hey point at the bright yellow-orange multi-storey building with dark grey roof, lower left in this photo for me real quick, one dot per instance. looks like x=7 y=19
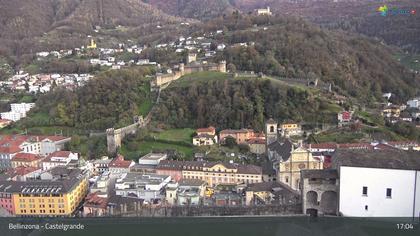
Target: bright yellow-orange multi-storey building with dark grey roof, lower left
x=58 y=193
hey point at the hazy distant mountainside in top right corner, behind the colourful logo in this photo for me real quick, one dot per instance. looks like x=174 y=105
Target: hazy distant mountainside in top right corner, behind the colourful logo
x=357 y=15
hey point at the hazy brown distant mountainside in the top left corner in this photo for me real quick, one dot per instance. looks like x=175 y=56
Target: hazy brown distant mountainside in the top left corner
x=24 y=23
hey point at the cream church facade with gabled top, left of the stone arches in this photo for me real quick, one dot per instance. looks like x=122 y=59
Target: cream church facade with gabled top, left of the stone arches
x=299 y=159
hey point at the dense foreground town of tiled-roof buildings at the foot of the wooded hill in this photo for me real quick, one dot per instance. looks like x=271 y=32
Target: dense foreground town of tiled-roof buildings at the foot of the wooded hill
x=41 y=178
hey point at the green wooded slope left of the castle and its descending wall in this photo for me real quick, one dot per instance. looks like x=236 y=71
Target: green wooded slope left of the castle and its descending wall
x=112 y=99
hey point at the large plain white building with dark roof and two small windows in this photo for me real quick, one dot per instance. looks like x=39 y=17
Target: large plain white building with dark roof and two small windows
x=378 y=183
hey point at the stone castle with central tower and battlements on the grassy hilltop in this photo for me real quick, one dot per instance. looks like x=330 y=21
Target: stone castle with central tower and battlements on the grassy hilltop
x=192 y=66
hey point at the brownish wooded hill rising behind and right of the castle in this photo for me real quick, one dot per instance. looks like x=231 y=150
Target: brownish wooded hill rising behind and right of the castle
x=290 y=47
